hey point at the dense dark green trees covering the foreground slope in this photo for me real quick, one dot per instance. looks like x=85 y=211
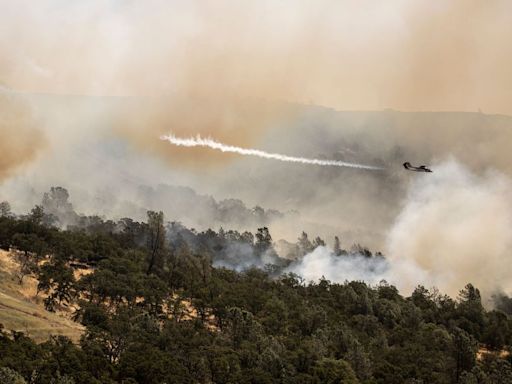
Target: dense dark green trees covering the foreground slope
x=156 y=310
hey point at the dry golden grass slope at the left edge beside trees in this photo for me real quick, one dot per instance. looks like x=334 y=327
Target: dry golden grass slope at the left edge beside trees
x=20 y=310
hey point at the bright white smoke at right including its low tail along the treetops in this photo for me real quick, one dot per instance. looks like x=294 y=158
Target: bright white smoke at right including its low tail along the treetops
x=455 y=228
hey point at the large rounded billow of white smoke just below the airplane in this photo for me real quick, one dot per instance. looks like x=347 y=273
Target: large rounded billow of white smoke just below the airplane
x=457 y=228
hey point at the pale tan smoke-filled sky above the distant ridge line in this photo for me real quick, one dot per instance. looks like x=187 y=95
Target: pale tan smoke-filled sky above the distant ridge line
x=356 y=54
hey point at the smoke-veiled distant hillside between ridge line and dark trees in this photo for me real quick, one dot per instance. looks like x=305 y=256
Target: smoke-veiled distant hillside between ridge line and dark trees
x=358 y=206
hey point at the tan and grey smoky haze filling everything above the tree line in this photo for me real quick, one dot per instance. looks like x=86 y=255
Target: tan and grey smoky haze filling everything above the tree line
x=87 y=88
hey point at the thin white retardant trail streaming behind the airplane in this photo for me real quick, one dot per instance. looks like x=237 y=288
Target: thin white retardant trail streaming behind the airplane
x=199 y=141
